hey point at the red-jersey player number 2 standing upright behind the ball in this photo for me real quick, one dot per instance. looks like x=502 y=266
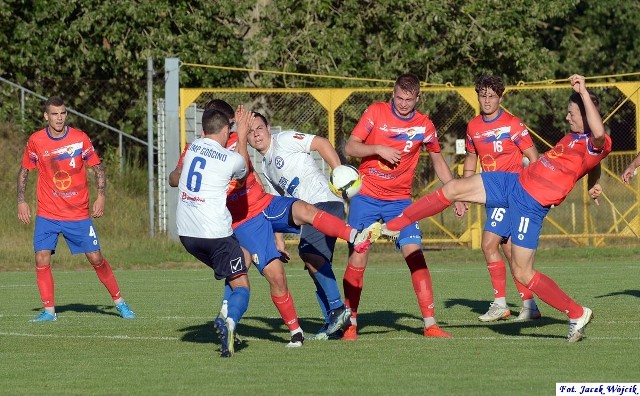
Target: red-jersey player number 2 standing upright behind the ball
x=389 y=138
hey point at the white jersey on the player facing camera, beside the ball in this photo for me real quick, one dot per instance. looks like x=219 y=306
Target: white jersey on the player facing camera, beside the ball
x=292 y=171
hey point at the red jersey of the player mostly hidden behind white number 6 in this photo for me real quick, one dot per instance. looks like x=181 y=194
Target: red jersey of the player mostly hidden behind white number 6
x=246 y=198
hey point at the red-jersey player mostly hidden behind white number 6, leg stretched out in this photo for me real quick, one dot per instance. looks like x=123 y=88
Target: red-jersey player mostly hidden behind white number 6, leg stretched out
x=257 y=215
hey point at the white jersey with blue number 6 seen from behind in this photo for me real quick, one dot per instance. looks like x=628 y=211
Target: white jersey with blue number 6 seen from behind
x=202 y=205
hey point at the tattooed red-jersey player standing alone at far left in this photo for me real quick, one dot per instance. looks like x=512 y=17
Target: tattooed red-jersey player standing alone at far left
x=61 y=155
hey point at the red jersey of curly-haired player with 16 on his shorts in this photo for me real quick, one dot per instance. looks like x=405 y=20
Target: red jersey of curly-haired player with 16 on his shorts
x=498 y=143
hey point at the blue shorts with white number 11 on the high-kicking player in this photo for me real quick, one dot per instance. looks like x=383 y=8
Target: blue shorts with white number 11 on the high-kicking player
x=526 y=215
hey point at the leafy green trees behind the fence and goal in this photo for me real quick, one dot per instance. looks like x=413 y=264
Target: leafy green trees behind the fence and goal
x=94 y=53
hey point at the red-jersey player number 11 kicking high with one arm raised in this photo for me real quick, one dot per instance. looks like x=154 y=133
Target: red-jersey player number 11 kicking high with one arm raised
x=531 y=194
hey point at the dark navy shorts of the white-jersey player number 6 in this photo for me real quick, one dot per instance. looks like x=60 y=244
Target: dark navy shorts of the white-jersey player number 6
x=223 y=255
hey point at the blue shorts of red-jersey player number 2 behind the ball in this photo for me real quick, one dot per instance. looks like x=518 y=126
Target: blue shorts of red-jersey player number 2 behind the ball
x=365 y=210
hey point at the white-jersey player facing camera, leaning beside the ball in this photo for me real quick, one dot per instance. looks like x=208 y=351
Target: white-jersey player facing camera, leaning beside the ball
x=292 y=171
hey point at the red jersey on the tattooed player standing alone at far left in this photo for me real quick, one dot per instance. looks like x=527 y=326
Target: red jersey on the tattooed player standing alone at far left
x=62 y=189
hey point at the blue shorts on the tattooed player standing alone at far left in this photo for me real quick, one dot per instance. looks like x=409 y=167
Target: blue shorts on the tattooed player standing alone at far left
x=80 y=235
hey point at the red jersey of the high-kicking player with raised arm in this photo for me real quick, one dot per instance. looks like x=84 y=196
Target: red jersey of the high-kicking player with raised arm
x=550 y=179
